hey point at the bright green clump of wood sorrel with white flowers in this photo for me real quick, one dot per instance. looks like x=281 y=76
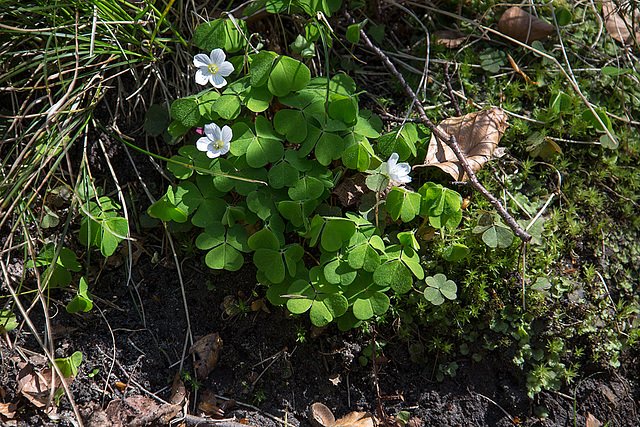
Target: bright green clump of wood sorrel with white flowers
x=260 y=182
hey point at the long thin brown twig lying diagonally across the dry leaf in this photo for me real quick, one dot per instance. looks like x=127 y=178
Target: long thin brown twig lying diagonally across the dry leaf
x=450 y=140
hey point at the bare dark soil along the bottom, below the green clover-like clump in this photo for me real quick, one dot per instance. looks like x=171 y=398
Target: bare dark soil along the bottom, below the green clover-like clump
x=147 y=323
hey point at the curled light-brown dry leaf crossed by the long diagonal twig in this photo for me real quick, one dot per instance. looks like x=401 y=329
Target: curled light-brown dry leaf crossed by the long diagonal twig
x=477 y=134
